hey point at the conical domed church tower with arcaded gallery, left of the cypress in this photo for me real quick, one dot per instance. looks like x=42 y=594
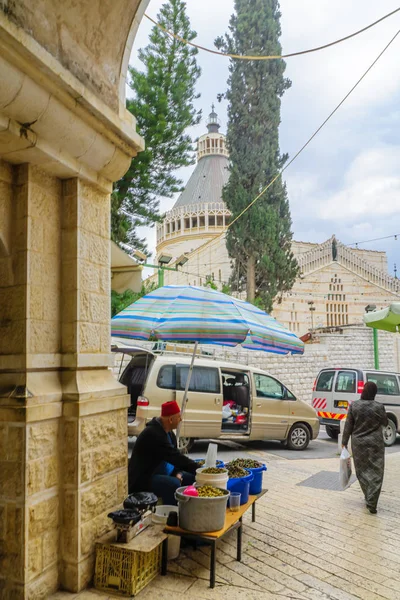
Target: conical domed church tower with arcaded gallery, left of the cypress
x=200 y=216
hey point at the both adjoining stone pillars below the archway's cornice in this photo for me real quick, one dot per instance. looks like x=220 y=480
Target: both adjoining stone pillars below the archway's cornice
x=63 y=433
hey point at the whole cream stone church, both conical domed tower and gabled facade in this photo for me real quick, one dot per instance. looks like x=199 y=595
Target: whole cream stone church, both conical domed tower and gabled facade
x=335 y=282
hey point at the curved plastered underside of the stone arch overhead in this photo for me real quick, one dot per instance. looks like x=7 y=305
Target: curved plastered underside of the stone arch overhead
x=90 y=38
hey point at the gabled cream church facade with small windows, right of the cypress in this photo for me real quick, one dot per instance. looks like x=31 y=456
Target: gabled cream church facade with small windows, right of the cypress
x=337 y=283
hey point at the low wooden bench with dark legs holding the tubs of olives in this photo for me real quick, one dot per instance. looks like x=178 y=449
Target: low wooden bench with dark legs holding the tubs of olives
x=233 y=520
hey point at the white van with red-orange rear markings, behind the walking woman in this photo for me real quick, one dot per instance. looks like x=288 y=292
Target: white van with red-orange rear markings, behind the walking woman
x=336 y=388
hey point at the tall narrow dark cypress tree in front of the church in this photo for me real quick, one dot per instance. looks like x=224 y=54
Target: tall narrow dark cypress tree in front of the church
x=260 y=241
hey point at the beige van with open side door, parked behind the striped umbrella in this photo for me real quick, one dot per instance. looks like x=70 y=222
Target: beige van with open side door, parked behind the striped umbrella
x=225 y=400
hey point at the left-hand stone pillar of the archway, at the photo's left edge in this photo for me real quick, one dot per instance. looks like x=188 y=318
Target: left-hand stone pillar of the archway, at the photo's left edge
x=30 y=388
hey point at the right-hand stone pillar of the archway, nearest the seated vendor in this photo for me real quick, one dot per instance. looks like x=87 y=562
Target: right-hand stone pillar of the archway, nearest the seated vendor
x=94 y=431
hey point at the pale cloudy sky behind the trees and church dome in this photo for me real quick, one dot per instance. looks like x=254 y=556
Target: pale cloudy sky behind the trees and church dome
x=347 y=182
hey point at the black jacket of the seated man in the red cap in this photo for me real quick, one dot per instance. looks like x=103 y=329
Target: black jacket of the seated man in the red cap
x=152 y=447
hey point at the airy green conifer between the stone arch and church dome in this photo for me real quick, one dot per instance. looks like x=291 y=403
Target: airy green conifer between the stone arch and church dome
x=163 y=104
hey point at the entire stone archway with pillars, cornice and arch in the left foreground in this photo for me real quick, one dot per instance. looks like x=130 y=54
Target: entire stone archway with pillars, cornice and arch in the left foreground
x=65 y=136
